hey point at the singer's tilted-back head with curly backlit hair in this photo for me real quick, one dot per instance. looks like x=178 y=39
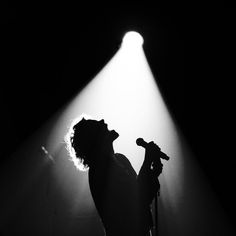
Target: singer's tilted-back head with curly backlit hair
x=87 y=140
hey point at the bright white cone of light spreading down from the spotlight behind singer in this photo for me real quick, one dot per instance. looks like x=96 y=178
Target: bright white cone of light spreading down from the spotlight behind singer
x=124 y=93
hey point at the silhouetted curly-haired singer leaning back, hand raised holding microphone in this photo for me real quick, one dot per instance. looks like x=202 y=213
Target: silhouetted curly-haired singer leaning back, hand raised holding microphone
x=122 y=197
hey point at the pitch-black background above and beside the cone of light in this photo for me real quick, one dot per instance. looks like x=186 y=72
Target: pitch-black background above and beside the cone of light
x=48 y=53
